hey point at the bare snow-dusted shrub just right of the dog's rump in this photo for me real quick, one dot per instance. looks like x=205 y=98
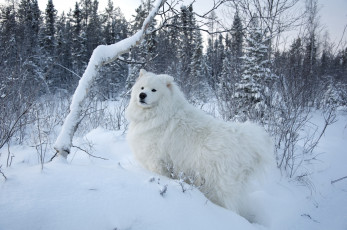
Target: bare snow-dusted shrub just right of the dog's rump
x=289 y=121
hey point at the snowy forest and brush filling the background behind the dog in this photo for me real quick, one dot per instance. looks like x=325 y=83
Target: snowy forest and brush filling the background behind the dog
x=239 y=68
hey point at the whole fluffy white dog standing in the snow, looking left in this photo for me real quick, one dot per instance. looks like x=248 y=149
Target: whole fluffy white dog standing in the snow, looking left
x=167 y=134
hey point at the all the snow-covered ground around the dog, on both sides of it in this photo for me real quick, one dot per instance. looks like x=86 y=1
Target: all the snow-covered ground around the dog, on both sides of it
x=91 y=193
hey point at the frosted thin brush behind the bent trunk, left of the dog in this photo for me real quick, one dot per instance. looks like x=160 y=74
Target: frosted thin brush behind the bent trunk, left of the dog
x=37 y=124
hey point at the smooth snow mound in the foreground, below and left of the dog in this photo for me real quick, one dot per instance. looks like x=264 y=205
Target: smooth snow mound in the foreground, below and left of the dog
x=91 y=193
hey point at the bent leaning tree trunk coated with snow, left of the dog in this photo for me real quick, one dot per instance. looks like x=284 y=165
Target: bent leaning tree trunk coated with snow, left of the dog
x=101 y=55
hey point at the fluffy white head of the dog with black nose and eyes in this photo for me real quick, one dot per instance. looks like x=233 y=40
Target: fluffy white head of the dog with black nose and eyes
x=150 y=89
